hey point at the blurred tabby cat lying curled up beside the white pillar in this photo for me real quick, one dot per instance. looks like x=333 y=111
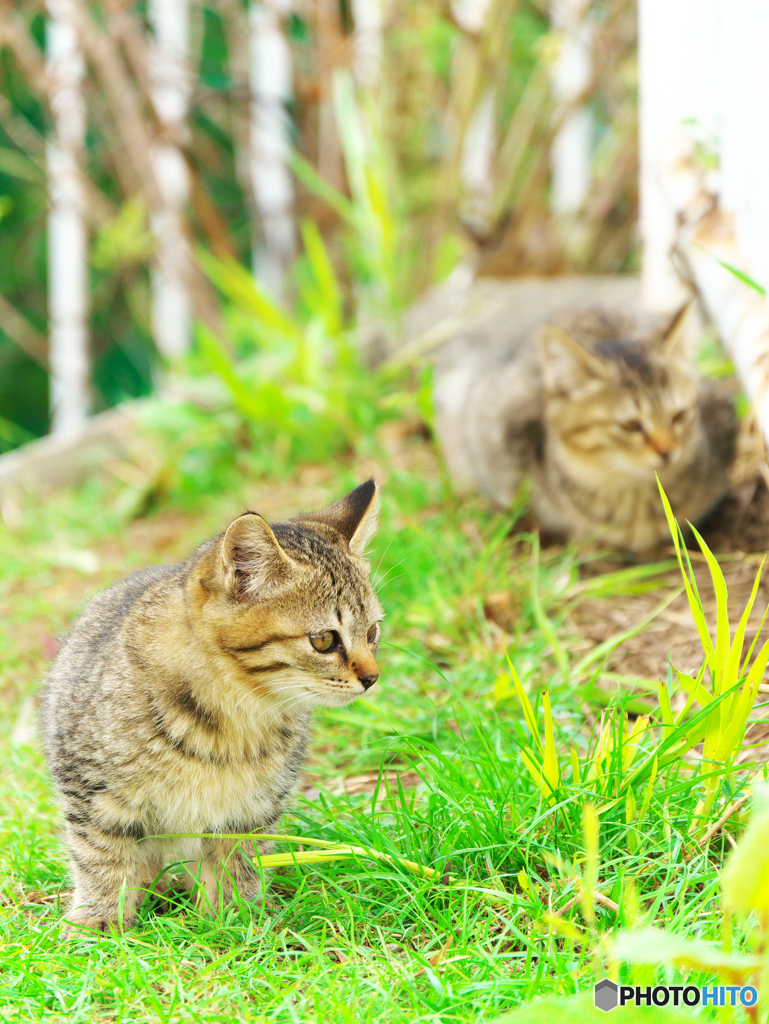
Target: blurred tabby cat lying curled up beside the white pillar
x=590 y=408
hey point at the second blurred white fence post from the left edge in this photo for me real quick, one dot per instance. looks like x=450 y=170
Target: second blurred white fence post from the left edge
x=172 y=315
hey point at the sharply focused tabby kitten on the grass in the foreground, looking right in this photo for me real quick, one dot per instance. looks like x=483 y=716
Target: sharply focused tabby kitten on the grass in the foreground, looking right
x=181 y=702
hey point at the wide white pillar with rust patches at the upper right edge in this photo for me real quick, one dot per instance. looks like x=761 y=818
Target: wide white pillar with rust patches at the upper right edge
x=706 y=61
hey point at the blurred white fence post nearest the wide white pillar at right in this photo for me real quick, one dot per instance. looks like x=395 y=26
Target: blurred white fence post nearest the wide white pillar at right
x=571 y=152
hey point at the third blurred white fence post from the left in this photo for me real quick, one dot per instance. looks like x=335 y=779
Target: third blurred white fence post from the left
x=271 y=73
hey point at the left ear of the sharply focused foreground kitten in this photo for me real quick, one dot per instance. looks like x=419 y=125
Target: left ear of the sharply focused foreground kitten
x=253 y=561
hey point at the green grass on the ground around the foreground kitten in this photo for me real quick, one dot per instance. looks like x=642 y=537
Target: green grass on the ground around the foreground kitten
x=365 y=940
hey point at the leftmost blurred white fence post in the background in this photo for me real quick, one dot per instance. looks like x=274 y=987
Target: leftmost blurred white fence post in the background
x=68 y=275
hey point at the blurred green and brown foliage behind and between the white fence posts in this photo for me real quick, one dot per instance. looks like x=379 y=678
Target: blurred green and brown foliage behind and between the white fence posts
x=374 y=234
